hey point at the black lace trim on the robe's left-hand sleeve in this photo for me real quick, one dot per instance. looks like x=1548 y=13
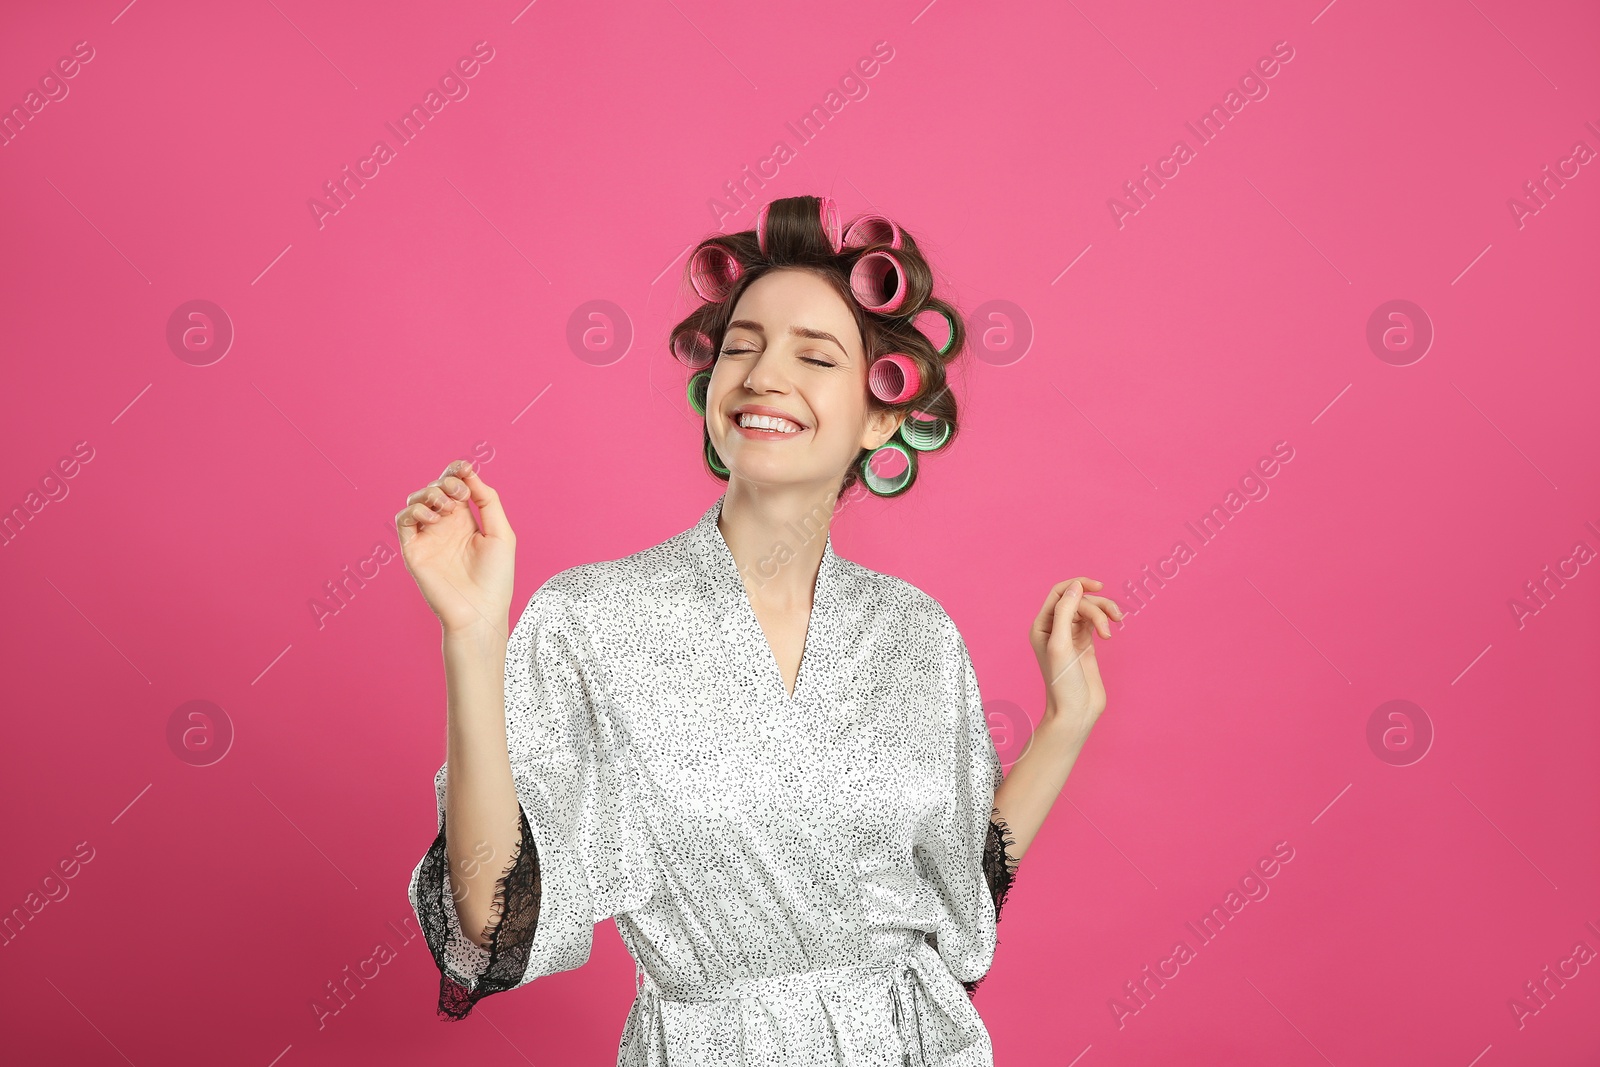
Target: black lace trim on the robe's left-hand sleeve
x=514 y=917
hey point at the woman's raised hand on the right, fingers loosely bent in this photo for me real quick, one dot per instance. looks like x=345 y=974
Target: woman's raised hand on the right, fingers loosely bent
x=1063 y=641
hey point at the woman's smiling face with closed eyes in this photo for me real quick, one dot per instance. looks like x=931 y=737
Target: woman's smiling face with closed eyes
x=793 y=353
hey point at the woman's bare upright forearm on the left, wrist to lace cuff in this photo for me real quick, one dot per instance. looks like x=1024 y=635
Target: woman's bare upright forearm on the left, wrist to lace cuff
x=481 y=797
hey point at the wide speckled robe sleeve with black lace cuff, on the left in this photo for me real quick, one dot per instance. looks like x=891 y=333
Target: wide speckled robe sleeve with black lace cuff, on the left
x=580 y=855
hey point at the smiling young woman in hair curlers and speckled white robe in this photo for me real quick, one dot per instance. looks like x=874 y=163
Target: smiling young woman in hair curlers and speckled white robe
x=769 y=764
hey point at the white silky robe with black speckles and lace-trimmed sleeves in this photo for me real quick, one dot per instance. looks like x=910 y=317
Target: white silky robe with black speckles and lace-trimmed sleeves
x=802 y=879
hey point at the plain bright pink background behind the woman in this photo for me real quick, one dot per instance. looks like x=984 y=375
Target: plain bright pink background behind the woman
x=1226 y=316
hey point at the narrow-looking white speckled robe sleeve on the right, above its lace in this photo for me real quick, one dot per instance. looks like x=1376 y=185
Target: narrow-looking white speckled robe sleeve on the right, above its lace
x=962 y=850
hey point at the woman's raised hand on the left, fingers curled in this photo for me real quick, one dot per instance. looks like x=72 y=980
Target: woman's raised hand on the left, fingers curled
x=465 y=572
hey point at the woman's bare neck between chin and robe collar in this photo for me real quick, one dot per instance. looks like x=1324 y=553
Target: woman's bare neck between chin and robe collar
x=777 y=538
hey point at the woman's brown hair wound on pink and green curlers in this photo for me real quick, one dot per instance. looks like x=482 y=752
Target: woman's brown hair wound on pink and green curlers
x=796 y=239
